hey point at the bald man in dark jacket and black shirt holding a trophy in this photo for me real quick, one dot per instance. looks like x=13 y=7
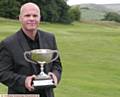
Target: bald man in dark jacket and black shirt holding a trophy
x=15 y=71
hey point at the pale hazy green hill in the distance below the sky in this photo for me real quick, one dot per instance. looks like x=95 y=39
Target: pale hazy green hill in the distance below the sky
x=97 y=11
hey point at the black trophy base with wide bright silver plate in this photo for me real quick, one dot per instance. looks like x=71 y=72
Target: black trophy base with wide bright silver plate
x=47 y=83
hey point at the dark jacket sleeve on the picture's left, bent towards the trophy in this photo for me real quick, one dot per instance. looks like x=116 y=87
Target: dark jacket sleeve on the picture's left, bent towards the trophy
x=7 y=75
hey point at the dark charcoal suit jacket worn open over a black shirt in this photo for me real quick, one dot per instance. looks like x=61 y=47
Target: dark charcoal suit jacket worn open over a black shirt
x=14 y=68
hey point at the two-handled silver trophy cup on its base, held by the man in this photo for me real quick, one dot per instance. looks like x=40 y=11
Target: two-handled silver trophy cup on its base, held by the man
x=41 y=57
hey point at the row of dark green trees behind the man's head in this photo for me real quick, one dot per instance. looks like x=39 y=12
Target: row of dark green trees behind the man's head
x=51 y=10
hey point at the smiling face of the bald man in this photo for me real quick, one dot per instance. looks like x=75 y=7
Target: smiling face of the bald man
x=30 y=18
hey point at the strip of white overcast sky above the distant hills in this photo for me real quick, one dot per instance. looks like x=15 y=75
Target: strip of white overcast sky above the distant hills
x=73 y=2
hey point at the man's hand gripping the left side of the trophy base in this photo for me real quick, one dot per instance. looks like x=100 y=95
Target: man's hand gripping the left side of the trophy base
x=28 y=82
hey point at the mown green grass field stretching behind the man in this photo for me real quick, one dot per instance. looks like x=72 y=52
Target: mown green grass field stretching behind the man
x=90 y=54
